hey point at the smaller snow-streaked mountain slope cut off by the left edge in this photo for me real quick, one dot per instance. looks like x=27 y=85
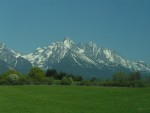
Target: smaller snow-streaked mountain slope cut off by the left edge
x=13 y=60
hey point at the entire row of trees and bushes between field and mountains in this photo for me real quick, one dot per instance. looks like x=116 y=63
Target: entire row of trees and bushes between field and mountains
x=37 y=76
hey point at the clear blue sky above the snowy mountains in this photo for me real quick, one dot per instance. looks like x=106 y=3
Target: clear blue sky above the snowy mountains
x=122 y=25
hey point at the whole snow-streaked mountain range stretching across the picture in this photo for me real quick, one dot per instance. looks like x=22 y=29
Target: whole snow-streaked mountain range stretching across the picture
x=86 y=59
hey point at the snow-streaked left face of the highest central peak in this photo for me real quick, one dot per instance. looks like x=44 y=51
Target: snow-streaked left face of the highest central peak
x=52 y=54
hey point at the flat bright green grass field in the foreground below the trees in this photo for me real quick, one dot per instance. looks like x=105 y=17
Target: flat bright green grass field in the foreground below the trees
x=73 y=99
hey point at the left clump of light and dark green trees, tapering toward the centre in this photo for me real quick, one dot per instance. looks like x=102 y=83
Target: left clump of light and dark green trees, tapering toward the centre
x=37 y=76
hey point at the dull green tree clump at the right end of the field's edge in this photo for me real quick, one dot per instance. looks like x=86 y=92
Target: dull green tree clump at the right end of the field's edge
x=122 y=79
